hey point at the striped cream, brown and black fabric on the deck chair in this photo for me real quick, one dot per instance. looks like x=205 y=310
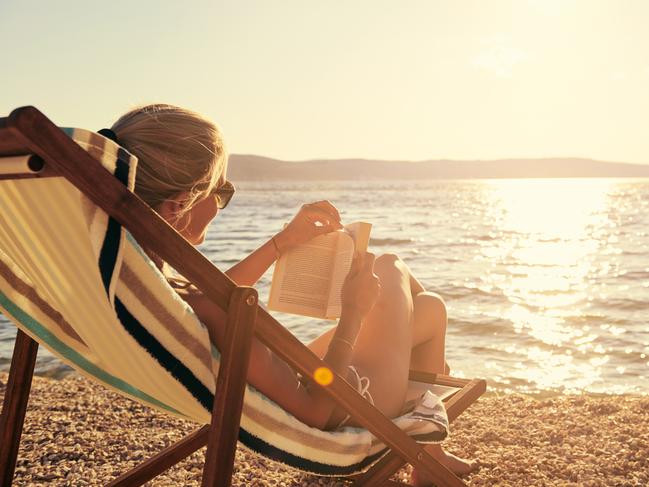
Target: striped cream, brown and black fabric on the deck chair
x=75 y=281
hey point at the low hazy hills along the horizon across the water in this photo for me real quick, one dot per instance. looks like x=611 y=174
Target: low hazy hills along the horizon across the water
x=255 y=168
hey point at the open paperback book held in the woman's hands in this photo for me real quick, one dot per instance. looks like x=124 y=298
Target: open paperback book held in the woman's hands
x=308 y=279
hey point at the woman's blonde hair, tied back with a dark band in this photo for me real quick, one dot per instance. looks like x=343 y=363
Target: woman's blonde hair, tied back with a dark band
x=178 y=151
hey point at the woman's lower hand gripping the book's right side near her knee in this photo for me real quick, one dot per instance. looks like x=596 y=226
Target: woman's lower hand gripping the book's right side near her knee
x=361 y=287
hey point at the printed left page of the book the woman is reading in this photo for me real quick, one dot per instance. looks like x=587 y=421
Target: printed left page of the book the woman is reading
x=302 y=276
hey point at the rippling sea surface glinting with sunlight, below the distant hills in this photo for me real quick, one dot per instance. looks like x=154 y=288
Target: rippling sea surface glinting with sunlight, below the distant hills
x=546 y=281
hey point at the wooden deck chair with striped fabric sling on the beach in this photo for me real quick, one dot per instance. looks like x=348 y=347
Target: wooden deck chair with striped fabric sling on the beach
x=74 y=278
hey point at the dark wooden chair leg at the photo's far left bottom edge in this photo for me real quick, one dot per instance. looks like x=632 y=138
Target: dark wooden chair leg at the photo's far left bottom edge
x=15 y=403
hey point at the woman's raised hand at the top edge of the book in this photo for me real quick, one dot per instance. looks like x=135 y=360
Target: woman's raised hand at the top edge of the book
x=312 y=220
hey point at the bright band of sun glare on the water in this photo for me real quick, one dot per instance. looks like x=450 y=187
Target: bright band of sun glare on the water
x=546 y=237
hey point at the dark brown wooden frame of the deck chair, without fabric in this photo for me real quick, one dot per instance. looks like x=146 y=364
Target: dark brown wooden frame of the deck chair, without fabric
x=27 y=131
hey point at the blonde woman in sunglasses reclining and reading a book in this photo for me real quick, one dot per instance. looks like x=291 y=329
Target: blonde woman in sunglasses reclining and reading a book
x=389 y=323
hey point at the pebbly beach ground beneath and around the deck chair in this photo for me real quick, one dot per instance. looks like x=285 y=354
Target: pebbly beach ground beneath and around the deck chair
x=77 y=433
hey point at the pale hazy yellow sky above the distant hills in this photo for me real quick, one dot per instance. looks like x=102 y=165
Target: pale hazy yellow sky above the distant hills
x=375 y=79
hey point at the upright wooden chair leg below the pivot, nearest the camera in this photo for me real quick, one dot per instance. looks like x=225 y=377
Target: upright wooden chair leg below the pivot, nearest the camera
x=230 y=387
